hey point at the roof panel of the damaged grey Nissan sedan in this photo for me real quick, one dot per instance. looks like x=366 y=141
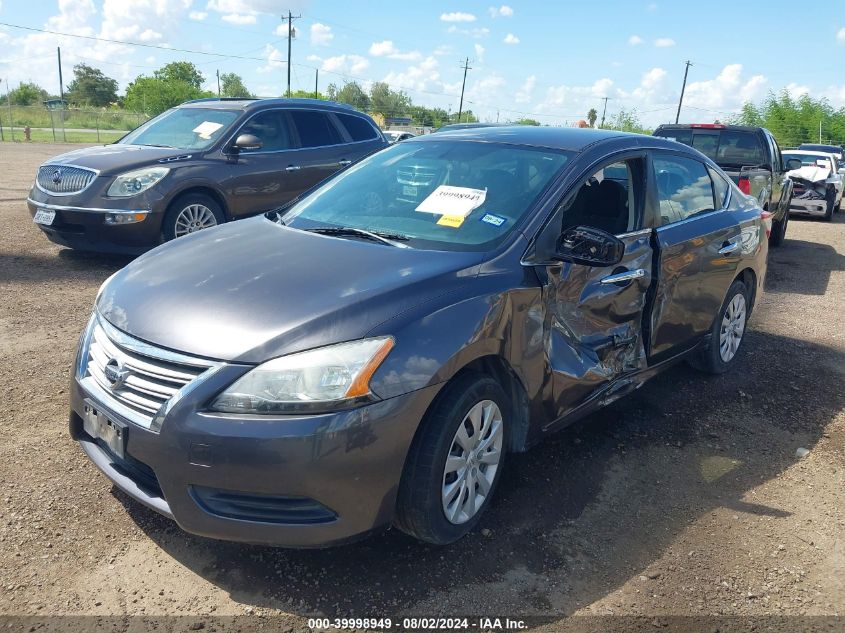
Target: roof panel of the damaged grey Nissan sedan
x=566 y=138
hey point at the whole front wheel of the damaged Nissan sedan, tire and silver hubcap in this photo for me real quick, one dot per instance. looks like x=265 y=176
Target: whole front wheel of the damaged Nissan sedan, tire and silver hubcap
x=455 y=462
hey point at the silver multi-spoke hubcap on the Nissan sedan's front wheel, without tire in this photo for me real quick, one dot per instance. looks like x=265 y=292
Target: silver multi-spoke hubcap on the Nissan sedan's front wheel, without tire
x=472 y=462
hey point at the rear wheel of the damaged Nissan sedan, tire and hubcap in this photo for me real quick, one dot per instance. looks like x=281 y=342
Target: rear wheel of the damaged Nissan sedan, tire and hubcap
x=726 y=334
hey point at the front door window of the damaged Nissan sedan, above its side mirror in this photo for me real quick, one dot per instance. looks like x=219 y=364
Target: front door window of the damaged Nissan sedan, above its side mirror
x=609 y=199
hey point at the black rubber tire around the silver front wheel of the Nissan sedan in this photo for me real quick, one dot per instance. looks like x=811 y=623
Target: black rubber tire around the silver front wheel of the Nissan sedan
x=419 y=506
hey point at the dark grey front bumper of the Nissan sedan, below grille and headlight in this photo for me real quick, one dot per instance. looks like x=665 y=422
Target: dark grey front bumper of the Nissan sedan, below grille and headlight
x=298 y=481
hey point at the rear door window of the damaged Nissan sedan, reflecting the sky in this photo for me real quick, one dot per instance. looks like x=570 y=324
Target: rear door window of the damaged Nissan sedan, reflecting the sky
x=684 y=188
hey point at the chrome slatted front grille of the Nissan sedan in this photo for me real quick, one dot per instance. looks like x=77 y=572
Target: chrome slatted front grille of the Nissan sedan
x=150 y=377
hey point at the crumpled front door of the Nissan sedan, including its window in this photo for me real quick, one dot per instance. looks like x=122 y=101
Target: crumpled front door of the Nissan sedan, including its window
x=595 y=294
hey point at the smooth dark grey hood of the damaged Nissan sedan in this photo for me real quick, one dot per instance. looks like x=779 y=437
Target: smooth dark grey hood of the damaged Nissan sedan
x=253 y=290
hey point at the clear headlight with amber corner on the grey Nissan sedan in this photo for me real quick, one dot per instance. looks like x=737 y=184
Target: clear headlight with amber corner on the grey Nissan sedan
x=322 y=379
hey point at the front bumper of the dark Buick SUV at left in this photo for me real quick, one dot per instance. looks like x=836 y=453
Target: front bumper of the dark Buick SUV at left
x=85 y=228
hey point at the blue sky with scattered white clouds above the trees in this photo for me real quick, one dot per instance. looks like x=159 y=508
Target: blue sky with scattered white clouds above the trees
x=548 y=60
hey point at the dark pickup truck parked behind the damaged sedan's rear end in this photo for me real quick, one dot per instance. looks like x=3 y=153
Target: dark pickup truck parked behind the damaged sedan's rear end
x=751 y=157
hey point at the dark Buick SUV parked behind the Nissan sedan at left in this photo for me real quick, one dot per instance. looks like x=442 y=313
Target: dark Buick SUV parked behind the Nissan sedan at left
x=195 y=166
